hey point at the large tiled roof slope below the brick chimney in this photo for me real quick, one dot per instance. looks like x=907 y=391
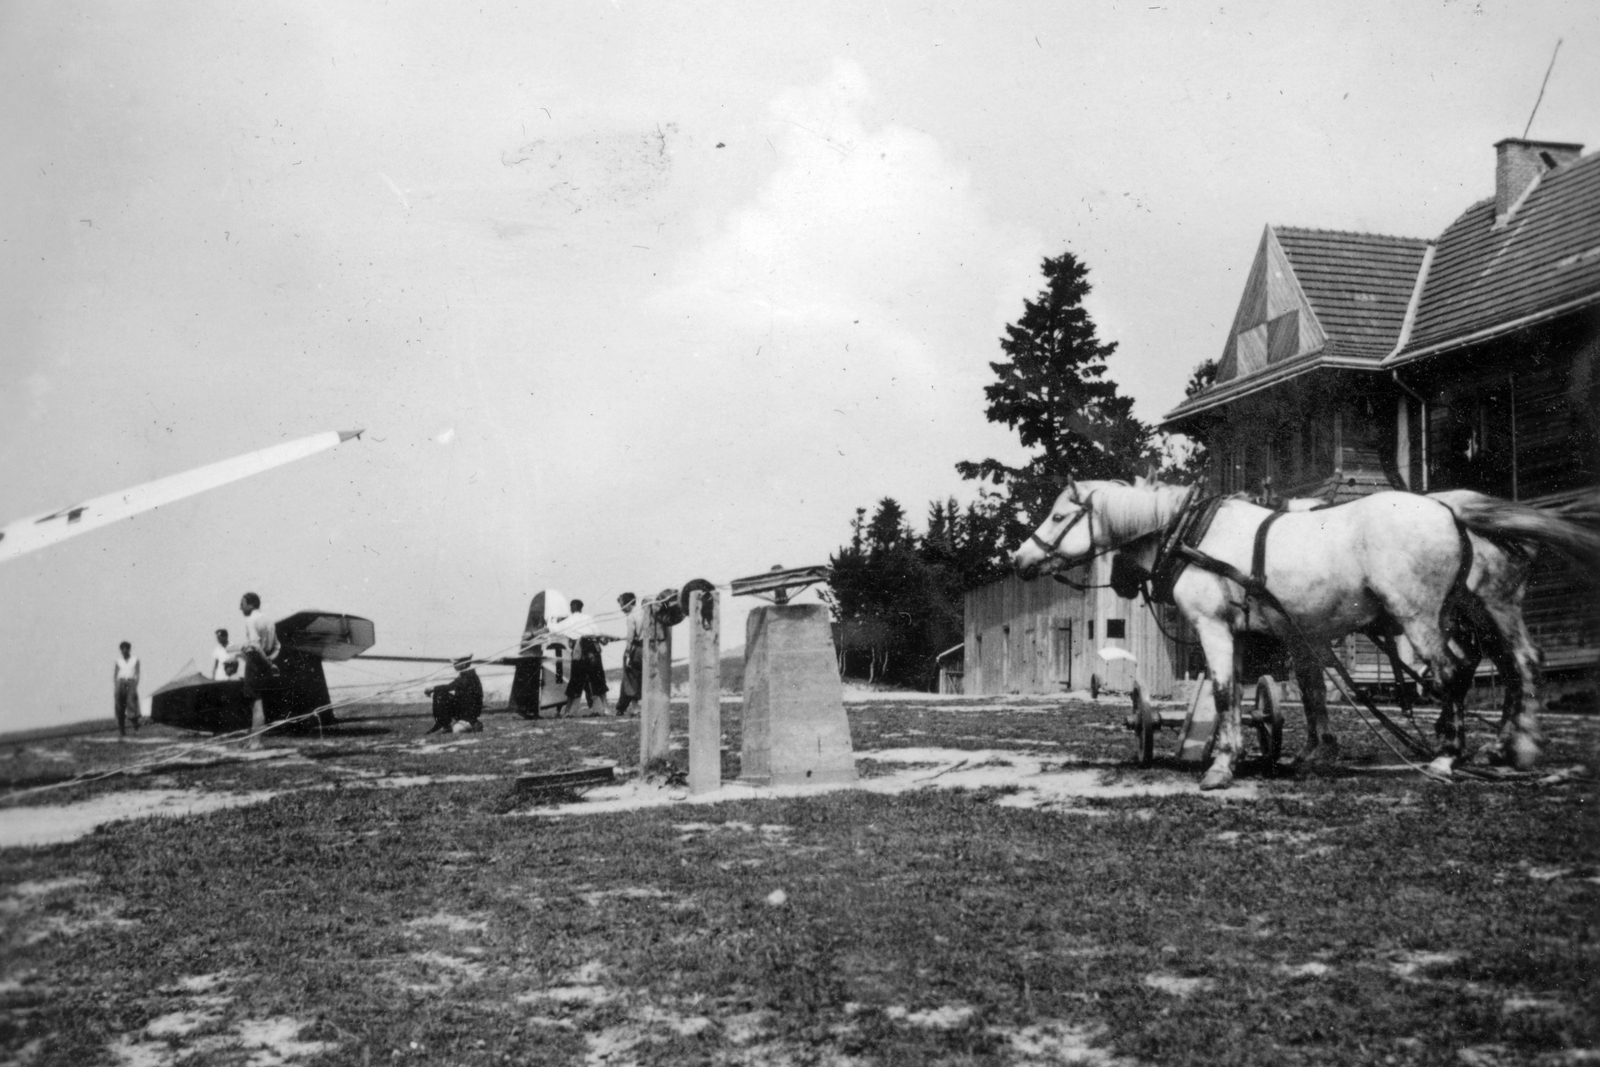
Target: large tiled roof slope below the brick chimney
x=1543 y=260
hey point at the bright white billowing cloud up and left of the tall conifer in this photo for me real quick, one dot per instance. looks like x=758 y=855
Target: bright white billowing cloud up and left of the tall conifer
x=866 y=278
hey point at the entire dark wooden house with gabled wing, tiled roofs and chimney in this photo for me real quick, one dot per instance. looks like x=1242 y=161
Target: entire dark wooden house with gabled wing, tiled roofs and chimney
x=1359 y=362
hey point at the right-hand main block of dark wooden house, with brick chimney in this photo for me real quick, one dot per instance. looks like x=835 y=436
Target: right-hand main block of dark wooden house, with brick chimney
x=1498 y=362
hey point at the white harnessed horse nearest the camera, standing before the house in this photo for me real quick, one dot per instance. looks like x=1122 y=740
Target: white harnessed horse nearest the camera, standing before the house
x=1385 y=564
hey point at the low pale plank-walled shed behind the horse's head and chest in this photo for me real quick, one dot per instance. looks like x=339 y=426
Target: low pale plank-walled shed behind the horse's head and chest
x=1044 y=637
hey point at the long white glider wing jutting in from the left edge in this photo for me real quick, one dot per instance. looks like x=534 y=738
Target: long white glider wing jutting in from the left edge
x=39 y=532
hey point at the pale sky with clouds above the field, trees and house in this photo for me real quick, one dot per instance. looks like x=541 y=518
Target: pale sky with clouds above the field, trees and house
x=626 y=295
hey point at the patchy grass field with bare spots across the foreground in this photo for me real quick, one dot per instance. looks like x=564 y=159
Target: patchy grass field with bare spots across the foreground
x=394 y=901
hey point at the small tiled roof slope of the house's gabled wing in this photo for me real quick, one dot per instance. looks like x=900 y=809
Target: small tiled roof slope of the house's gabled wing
x=1358 y=284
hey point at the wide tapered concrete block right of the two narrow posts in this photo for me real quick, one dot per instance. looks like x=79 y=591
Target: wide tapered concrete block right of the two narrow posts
x=796 y=732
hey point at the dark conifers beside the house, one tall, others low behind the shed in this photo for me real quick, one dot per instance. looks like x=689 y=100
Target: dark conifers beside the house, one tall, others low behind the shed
x=898 y=596
